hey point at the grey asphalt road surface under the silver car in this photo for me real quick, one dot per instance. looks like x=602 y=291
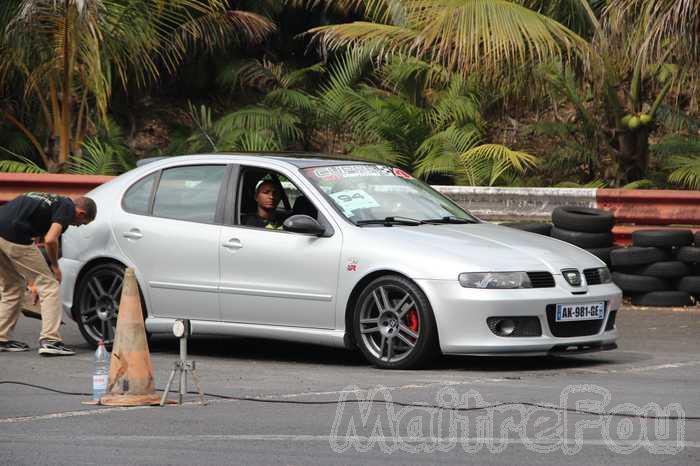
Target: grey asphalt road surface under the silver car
x=311 y=405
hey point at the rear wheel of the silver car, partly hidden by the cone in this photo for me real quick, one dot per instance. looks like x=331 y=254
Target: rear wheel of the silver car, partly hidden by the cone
x=97 y=302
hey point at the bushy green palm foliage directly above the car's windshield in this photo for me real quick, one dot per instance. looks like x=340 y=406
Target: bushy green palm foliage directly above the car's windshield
x=417 y=115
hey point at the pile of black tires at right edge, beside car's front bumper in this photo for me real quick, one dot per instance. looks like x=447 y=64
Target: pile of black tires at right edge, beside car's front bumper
x=660 y=268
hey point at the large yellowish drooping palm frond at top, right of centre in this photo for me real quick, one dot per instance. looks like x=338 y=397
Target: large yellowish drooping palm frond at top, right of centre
x=491 y=34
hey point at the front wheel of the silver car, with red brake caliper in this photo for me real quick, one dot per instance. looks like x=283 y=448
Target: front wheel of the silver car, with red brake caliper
x=393 y=324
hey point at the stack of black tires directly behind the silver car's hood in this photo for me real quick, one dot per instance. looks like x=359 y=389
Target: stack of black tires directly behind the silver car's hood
x=585 y=227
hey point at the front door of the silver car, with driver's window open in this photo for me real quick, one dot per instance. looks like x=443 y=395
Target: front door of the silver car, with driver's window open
x=276 y=277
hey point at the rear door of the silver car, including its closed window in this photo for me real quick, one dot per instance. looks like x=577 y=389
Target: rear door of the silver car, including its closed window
x=174 y=241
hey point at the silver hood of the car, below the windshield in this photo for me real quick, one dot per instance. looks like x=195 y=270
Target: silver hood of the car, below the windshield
x=442 y=251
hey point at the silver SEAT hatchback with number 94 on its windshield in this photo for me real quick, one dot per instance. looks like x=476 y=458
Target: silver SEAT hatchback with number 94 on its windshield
x=359 y=255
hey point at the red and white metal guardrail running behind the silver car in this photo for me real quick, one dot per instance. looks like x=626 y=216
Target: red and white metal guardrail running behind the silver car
x=633 y=208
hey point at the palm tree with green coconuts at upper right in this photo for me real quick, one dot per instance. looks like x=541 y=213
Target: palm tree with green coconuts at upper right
x=627 y=51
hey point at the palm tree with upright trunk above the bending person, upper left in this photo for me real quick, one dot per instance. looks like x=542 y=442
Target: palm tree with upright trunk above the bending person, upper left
x=70 y=53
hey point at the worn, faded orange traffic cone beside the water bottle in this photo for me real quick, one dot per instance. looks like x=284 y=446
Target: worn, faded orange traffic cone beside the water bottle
x=130 y=370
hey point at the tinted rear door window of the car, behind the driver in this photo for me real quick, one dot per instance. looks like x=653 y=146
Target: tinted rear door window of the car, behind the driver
x=189 y=193
